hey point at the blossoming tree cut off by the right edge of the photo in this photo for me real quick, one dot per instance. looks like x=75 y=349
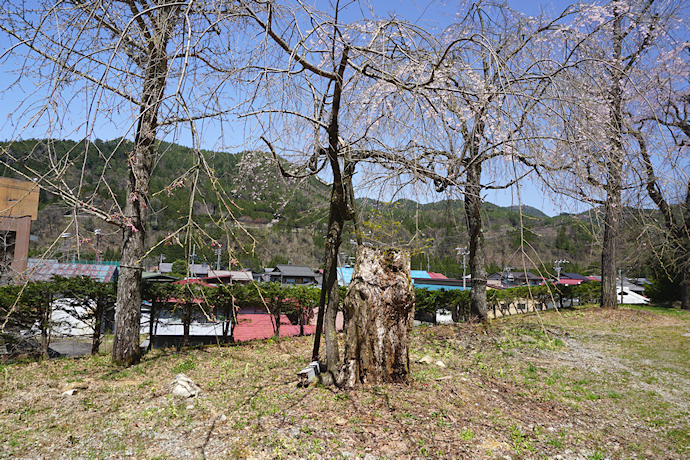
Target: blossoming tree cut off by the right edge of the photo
x=663 y=138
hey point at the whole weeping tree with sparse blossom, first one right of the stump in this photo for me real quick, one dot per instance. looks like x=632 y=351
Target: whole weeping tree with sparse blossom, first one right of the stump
x=481 y=111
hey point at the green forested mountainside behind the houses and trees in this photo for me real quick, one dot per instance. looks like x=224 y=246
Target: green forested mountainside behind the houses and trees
x=268 y=219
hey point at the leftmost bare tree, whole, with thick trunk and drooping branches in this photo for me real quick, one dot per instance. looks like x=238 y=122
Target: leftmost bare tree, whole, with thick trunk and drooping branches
x=128 y=62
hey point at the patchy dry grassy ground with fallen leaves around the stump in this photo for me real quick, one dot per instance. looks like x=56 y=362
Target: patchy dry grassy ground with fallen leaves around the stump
x=577 y=384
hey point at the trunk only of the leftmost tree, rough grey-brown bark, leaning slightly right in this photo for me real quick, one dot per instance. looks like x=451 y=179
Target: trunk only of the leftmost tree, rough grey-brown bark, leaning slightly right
x=126 y=340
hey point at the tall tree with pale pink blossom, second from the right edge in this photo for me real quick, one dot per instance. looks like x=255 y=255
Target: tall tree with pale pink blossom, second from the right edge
x=608 y=44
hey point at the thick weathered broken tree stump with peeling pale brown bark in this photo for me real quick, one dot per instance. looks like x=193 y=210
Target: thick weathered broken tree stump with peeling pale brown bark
x=379 y=310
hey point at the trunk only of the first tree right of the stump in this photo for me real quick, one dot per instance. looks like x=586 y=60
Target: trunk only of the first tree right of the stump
x=473 y=208
